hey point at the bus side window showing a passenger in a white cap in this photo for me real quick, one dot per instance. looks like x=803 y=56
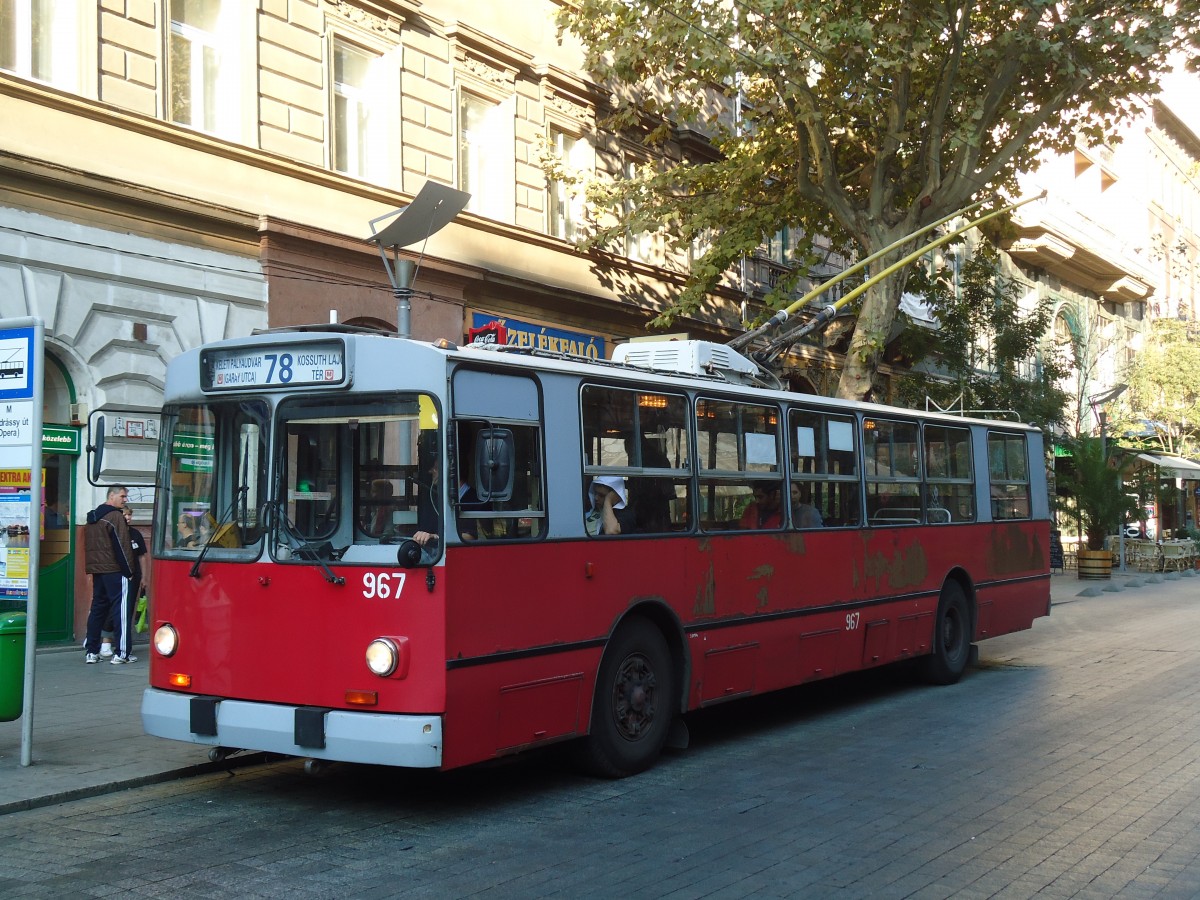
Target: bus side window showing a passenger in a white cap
x=635 y=443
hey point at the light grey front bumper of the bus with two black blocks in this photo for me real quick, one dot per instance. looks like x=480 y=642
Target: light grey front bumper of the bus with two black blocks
x=349 y=736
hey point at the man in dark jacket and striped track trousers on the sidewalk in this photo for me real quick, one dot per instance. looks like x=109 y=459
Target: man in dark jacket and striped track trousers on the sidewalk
x=109 y=559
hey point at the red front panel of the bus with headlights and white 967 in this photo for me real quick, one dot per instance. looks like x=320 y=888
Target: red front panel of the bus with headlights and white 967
x=281 y=634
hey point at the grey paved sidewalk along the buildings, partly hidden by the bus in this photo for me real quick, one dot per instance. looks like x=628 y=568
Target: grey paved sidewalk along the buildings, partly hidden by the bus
x=88 y=737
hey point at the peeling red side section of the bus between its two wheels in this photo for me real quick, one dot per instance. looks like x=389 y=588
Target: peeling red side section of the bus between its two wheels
x=812 y=605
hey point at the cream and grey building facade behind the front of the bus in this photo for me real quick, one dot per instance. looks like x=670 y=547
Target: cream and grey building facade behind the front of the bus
x=175 y=172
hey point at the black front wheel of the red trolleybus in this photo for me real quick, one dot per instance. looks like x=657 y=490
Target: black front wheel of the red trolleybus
x=634 y=704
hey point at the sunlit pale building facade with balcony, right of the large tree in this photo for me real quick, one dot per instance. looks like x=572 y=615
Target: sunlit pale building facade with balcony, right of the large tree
x=1117 y=247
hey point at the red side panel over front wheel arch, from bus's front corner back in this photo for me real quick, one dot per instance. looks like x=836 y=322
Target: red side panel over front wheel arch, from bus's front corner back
x=526 y=631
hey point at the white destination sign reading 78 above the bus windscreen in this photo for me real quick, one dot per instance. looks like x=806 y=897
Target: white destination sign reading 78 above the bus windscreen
x=321 y=363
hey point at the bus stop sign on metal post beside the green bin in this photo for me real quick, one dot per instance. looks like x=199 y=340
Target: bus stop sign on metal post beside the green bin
x=22 y=357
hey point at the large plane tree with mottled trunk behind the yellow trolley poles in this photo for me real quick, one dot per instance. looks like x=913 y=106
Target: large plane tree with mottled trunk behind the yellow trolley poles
x=856 y=121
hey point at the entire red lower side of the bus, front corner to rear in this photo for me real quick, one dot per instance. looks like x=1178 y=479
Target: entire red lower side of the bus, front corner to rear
x=527 y=623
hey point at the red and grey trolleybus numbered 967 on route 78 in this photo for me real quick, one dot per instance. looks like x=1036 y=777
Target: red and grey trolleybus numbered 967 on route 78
x=385 y=551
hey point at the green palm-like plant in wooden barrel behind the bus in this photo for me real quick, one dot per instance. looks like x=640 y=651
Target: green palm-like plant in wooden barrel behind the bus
x=1097 y=483
